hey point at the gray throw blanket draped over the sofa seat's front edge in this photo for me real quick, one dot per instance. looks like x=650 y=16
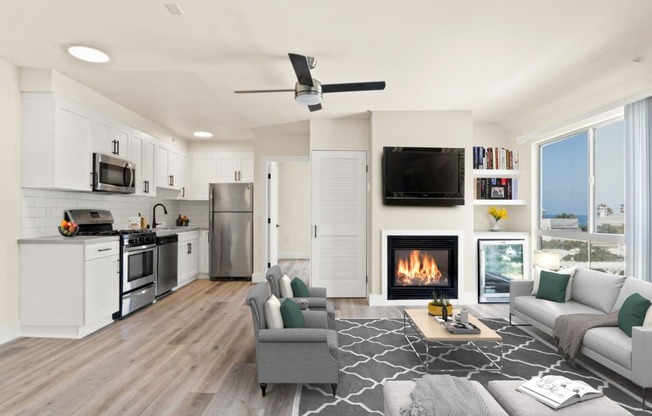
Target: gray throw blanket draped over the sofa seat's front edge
x=569 y=331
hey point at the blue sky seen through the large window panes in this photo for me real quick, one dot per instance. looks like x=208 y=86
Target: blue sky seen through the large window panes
x=565 y=172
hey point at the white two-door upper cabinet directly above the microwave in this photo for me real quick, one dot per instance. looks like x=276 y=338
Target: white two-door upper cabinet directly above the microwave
x=111 y=137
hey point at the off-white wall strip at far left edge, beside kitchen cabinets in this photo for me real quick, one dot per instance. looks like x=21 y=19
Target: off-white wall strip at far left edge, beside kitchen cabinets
x=10 y=206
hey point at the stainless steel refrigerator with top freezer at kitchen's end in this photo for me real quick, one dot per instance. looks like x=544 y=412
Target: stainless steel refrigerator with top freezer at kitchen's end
x=230 y=230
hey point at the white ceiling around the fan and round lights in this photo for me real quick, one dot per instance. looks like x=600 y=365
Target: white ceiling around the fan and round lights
x=488 y=56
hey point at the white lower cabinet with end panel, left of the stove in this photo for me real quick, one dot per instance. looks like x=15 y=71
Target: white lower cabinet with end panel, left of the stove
x=68 y=290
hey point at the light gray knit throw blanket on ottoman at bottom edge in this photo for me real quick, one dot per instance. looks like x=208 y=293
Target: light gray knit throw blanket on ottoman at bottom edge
x=445 y=395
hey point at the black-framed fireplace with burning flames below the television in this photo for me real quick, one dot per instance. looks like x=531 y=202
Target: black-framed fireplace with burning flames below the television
x=417 y=265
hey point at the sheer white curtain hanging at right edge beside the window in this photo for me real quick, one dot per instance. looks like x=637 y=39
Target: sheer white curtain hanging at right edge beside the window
x=638 y=189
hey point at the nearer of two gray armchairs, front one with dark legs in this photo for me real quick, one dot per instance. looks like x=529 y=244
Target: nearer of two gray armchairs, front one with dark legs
x=293 y=355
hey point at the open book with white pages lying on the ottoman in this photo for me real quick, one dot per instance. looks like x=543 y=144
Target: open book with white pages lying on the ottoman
x=558 y=391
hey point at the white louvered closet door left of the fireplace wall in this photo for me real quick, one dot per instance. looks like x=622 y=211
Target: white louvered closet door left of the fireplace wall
x=339 y=217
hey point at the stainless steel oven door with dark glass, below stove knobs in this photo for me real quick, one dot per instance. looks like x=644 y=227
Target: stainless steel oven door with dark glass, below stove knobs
x=138 y=267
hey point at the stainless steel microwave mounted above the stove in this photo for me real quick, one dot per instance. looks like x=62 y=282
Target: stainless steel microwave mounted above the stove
x=112 y=174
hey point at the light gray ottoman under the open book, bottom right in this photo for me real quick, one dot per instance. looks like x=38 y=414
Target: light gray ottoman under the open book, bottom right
x=520 y=404
